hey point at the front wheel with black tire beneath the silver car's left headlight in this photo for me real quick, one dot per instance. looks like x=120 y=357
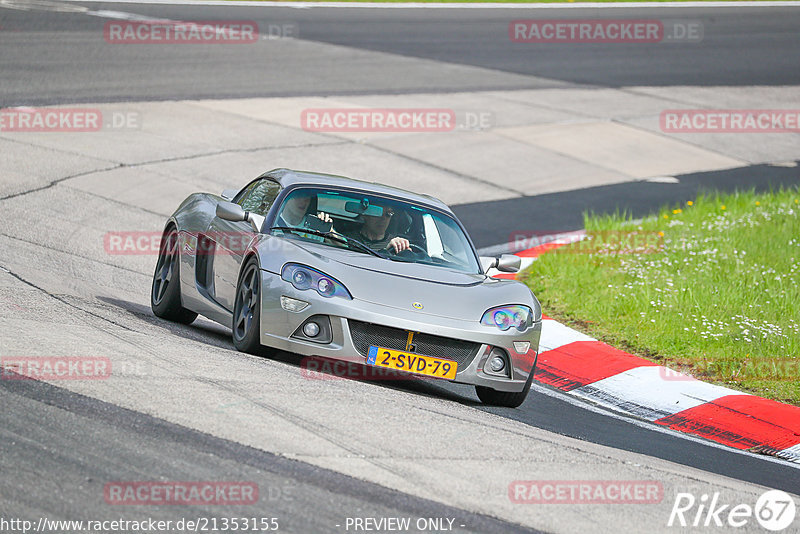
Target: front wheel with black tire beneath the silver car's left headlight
x=247 y=309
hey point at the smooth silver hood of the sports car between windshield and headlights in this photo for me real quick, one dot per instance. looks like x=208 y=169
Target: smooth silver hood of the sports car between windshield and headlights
x=406 y=286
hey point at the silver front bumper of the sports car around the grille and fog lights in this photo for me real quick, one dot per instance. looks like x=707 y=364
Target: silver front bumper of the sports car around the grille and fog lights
x=278 y=326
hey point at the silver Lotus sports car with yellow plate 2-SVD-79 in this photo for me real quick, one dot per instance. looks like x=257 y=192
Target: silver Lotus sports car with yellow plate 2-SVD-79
x=330 y=267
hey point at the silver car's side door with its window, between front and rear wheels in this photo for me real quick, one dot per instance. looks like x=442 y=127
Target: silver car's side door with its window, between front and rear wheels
x=230 y=241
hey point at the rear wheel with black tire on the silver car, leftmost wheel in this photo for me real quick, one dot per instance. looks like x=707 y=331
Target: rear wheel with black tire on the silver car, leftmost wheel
x=165 y=292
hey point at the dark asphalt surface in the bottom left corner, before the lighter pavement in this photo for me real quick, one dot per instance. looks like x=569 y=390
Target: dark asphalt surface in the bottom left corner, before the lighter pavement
x=128 y=444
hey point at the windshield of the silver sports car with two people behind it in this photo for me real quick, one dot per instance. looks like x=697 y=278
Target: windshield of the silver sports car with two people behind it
x=368 y=224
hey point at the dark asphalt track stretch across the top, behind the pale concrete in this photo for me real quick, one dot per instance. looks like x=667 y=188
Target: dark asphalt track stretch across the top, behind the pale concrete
x=50 y=57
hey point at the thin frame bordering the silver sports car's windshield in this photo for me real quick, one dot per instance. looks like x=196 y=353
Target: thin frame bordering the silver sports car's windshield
x=321 y=188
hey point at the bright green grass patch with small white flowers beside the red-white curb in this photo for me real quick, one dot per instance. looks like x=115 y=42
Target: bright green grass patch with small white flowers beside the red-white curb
x=709 y=288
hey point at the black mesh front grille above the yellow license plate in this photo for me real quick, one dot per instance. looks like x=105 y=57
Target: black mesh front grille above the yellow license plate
x=366 y=334
